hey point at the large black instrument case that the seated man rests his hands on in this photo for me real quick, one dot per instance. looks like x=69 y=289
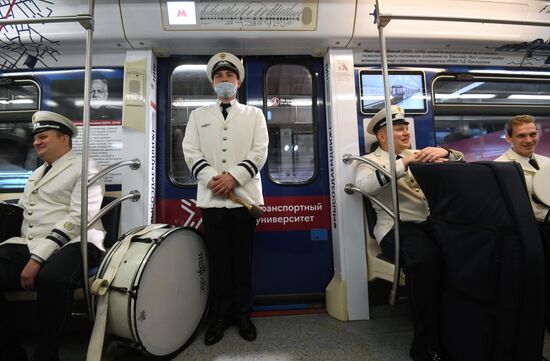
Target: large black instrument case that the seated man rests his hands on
x=493 y=278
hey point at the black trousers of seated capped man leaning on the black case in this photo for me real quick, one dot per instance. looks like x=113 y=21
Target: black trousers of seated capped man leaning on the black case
x=422 y=263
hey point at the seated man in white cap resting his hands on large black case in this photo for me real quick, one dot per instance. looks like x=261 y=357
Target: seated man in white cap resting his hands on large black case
x=420 y=255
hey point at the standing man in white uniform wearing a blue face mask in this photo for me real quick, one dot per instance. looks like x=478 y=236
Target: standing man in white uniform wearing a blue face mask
x=225 y=146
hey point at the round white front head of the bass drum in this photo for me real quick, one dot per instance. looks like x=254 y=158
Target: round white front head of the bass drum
x=172 y=294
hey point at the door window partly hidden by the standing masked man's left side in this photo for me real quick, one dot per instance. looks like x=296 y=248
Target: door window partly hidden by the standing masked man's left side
x=189 y=90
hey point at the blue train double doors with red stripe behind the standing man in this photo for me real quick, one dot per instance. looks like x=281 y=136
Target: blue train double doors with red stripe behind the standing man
x=293 y=250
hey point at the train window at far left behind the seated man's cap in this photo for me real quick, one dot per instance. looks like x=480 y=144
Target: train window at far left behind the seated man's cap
x=19 y=99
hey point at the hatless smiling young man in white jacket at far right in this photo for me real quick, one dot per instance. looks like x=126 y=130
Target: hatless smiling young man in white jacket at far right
x=523 y=136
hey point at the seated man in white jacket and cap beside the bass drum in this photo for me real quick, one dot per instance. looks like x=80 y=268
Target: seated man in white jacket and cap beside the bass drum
x=46 y=257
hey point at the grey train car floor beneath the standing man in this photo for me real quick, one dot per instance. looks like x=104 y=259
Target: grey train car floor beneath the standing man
x=314 y=336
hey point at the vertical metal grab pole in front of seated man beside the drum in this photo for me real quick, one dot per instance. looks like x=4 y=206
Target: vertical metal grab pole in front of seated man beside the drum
x=85 y=144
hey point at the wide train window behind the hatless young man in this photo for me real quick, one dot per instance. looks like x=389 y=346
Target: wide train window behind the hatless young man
x=470 y=112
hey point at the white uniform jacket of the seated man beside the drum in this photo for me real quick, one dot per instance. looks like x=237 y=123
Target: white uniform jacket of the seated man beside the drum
x=51 y=204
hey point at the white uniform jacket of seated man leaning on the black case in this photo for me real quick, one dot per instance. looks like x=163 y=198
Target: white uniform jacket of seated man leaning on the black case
x=413 y=206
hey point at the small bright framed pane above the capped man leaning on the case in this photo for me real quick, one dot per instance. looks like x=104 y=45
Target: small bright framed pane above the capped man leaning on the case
x=407 y=89
